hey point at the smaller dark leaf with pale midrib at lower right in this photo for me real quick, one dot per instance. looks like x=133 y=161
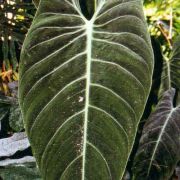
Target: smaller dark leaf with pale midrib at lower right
x=159 y=149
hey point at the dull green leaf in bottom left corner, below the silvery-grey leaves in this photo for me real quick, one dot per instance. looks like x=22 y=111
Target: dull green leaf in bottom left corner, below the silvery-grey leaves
x=25 y=171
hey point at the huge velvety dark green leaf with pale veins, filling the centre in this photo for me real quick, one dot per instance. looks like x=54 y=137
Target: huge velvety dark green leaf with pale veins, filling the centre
x=84 y=85
